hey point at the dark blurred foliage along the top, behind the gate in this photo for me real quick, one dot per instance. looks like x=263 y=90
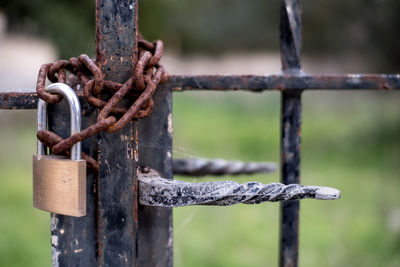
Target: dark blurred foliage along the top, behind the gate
x=338 y=28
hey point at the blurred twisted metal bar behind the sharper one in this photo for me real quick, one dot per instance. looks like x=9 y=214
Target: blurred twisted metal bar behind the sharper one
x=203 y=167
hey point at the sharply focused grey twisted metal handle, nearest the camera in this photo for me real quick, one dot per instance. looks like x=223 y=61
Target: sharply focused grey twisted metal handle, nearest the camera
x=157 y=191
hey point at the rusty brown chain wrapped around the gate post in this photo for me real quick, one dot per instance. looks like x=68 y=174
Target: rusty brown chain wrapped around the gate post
x=140 y=87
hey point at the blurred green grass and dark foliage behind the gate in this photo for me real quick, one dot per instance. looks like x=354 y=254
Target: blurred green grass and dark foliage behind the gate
x=350 y=140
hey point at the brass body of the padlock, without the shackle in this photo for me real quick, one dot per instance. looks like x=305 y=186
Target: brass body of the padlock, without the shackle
x=59 y=185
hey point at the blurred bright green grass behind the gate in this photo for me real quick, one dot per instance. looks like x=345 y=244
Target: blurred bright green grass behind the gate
x=350 y=141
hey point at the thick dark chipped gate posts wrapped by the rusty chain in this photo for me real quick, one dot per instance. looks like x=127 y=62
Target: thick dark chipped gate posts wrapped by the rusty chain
x=109 y=235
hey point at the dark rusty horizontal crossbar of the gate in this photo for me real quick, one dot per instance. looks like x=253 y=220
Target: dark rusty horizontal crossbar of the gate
x=27 y=99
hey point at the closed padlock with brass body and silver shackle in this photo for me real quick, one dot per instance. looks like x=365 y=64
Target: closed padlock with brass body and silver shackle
x=59 y=183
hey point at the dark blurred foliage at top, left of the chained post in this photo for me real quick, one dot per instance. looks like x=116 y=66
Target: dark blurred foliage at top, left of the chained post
x=67 y=23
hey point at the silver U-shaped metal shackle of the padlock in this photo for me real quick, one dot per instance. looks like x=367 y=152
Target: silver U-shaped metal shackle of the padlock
x=75 y=116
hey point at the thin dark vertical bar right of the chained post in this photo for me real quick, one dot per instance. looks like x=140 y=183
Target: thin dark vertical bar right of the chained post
x=290 y=39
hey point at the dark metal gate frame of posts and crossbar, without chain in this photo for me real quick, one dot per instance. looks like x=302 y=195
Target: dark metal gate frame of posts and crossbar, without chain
x=117 y=231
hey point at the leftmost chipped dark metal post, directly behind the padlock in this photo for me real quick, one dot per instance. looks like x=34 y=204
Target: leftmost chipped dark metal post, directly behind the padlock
x=74 y=239
